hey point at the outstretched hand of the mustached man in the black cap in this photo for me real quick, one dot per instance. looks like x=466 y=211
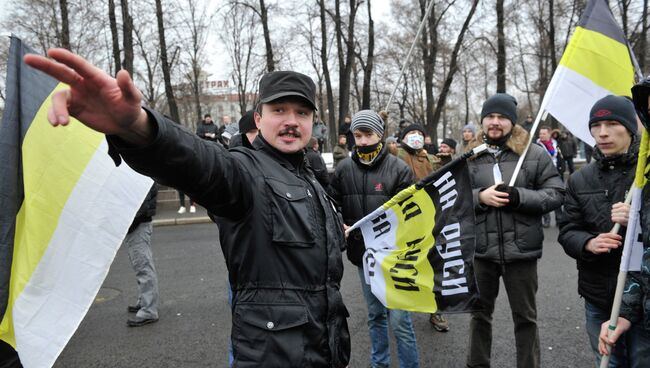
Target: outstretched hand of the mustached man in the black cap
x=103 y=103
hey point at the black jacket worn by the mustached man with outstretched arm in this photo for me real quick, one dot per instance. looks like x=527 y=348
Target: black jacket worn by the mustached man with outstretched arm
x=280 y=236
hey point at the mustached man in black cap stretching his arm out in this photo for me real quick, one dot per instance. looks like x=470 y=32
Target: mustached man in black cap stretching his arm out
x=280 y=234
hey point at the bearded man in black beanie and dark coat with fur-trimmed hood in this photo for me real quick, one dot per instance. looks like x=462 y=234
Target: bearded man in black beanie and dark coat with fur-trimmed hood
x=509 y=234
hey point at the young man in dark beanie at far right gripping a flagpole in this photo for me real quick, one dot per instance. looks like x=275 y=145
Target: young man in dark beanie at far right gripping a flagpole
x=592 y=205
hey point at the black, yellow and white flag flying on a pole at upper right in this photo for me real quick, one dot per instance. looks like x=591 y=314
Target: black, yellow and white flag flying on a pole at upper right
x=596 y=63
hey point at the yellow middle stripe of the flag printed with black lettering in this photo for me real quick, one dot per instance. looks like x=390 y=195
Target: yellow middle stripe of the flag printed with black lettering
x=412 y=241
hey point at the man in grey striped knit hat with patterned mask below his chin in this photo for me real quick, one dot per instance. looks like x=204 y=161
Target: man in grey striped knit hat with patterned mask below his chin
x=361 y=184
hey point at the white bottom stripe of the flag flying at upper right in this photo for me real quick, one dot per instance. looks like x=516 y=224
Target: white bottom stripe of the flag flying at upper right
x=570 y=99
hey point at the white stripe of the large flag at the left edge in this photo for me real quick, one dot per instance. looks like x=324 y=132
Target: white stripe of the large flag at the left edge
x=63 y=286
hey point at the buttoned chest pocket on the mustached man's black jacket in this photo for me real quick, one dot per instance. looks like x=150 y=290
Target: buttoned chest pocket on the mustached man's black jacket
x=292 y=214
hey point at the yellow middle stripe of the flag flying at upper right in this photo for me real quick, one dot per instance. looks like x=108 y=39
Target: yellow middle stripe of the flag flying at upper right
x=601 y=59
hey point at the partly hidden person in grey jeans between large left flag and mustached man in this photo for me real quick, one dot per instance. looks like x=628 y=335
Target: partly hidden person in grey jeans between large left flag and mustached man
x=138 y=243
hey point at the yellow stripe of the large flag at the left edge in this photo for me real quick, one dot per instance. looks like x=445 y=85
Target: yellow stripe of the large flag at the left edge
x=53 y=160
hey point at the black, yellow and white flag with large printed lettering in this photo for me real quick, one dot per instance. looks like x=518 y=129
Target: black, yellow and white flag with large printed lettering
x=420 y=245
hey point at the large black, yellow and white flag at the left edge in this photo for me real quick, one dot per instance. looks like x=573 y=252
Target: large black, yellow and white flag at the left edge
x=65 y=209
